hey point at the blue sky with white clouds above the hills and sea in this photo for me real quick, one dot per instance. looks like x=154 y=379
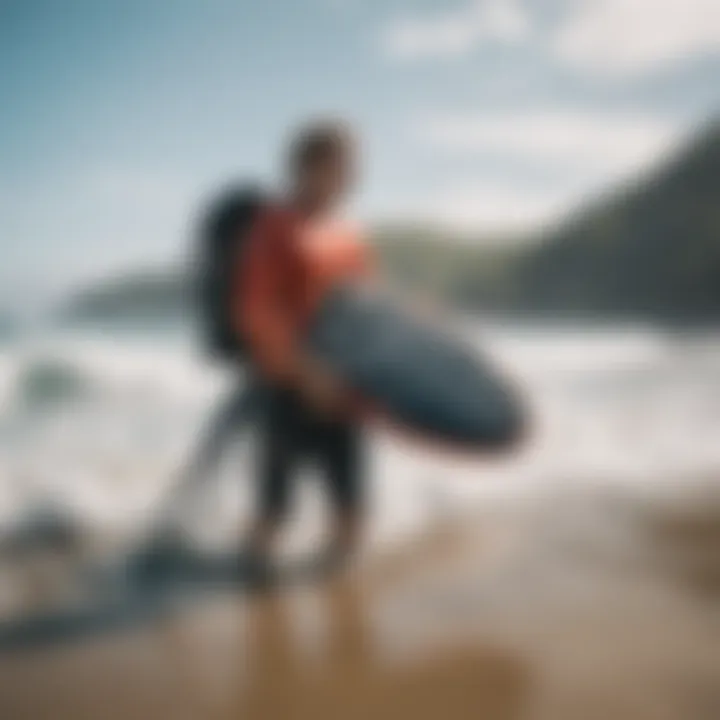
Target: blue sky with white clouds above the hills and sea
x=118 y=116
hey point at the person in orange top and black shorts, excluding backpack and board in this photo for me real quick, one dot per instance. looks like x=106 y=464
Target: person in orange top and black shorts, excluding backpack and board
x=298 y=247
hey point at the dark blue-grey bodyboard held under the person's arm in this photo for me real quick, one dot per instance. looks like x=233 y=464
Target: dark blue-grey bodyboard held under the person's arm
x=413 y=371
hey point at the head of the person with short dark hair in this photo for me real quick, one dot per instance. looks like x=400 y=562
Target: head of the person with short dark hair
x=321 y=164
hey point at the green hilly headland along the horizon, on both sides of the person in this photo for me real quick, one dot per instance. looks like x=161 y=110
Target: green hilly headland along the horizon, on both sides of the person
x=652 y=249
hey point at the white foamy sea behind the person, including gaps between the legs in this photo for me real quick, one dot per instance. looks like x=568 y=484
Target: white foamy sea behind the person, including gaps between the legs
x=100 y=422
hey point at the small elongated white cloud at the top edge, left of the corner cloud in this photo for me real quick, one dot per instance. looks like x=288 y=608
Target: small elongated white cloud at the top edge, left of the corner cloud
x=456 y=33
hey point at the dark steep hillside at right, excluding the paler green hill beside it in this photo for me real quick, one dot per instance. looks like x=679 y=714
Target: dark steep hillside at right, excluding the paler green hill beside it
x=652 y=249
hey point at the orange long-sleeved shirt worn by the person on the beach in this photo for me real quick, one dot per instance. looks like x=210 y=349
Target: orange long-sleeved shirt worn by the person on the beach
x=289 y=266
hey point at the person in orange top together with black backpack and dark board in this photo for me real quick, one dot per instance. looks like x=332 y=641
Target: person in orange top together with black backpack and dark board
x=270 y=264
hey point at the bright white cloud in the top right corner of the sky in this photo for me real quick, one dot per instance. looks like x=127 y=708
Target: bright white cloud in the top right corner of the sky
x=635 y=37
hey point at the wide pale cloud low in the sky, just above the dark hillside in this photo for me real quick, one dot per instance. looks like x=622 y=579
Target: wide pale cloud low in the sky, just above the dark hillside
x=582 y=154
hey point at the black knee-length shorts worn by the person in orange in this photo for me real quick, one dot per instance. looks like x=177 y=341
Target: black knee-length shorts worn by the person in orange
x=291 y=433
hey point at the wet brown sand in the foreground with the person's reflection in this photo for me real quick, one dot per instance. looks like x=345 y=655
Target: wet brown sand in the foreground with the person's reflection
x=576 y=606
